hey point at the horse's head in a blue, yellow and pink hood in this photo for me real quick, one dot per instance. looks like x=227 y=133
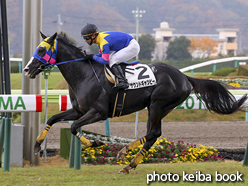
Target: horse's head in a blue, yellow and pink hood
x=44 y=55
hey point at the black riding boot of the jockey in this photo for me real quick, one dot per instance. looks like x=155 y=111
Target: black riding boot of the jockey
x=122 y=81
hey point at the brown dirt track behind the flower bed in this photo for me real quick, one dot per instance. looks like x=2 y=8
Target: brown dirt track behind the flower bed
x=224 y=134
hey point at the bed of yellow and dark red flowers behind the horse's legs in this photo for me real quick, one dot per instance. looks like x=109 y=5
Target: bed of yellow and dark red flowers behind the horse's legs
x=162 y=151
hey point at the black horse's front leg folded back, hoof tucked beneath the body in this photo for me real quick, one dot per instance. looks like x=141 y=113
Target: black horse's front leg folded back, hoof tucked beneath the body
x=91 y=116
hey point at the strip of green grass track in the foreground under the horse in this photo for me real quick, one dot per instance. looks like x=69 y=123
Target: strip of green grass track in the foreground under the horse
x=50 y=174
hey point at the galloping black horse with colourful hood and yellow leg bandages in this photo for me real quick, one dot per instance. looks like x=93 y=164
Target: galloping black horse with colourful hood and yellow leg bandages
x=93 y=96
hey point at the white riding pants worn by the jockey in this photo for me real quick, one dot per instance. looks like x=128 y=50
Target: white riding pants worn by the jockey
x=124 y=54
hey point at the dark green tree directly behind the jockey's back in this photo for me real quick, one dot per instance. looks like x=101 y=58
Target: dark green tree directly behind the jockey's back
x=147 y=46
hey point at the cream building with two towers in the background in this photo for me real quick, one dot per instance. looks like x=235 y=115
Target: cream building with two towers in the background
x=227 y=41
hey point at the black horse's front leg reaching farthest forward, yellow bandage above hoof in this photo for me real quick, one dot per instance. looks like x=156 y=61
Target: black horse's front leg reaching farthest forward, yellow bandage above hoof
x=70 y=114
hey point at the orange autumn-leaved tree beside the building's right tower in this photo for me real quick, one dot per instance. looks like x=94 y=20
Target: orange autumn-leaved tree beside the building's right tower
x=203 y=46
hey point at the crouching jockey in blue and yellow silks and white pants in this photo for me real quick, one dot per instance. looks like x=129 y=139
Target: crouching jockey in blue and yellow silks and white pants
x=124 y=48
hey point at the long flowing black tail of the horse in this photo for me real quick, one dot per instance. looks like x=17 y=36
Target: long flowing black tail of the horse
x=216 y=97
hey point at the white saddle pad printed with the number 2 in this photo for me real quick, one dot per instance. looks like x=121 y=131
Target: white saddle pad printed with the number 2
x=138 y=76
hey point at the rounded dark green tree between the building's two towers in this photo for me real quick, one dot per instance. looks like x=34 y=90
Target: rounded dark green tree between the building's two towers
x=178 y=49
